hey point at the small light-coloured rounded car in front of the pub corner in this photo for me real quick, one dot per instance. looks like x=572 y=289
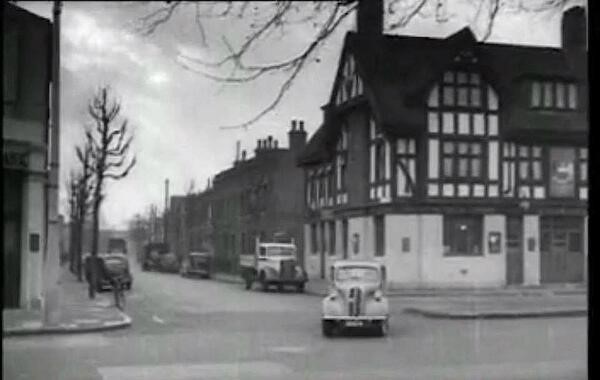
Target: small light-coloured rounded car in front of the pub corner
x=356 y=297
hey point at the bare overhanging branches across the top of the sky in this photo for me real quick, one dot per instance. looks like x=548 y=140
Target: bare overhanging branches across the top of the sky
x=323 y=17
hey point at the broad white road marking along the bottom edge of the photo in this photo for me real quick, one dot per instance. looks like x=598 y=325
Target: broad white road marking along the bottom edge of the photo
x=189 y=371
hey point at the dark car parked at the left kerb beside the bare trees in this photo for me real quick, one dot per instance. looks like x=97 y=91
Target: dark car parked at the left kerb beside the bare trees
x=109 y=265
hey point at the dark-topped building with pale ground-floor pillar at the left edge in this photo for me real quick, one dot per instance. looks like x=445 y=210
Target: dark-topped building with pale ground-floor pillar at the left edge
x=25 y=141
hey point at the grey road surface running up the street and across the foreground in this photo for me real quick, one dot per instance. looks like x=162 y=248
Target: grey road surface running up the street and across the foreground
x=202 y=329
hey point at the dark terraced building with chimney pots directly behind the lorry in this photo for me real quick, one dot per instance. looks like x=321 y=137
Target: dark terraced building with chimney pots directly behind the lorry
x=258 y=197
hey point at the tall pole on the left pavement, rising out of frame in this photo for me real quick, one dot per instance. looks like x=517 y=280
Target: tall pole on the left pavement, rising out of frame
x=51 y=262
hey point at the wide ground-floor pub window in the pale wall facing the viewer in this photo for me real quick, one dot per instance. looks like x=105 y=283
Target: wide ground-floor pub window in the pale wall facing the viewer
x=462 y=235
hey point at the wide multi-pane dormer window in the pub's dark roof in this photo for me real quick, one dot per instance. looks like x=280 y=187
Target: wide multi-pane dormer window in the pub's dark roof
x=553 y=95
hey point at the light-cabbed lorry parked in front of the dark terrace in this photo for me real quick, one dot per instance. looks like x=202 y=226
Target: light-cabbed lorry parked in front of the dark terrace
x=273 y=263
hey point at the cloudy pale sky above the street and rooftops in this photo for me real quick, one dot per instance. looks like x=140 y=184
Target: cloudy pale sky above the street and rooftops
x=176 y=114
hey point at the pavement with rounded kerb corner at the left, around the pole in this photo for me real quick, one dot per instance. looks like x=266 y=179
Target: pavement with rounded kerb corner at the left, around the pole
x=77 y=313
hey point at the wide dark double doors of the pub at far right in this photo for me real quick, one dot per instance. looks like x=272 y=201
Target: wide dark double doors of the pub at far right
x=562 y=258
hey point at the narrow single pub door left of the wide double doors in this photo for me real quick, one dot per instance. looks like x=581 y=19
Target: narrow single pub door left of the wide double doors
x=514 y=250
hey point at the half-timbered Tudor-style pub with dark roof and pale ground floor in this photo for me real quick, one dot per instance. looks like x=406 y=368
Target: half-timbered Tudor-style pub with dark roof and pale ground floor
x=455 y=162
